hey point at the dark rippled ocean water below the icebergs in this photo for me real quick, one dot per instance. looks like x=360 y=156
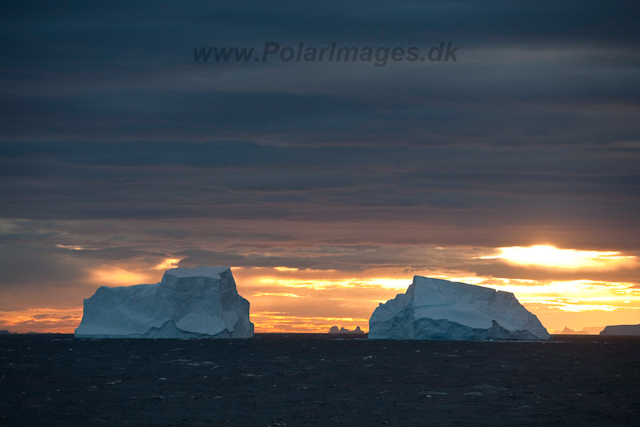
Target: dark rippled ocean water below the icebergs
x=307 y=379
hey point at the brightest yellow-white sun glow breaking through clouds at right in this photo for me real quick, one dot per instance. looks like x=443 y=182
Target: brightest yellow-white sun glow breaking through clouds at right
x=549 y=256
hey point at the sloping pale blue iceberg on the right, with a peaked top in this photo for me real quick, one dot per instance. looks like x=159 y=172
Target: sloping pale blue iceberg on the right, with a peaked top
x=434 y=309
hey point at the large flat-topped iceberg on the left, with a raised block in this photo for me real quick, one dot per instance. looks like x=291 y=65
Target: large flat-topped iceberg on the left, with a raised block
x=199 y=302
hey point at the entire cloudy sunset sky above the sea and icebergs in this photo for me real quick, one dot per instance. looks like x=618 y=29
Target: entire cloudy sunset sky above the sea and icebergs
x=326 y=186
